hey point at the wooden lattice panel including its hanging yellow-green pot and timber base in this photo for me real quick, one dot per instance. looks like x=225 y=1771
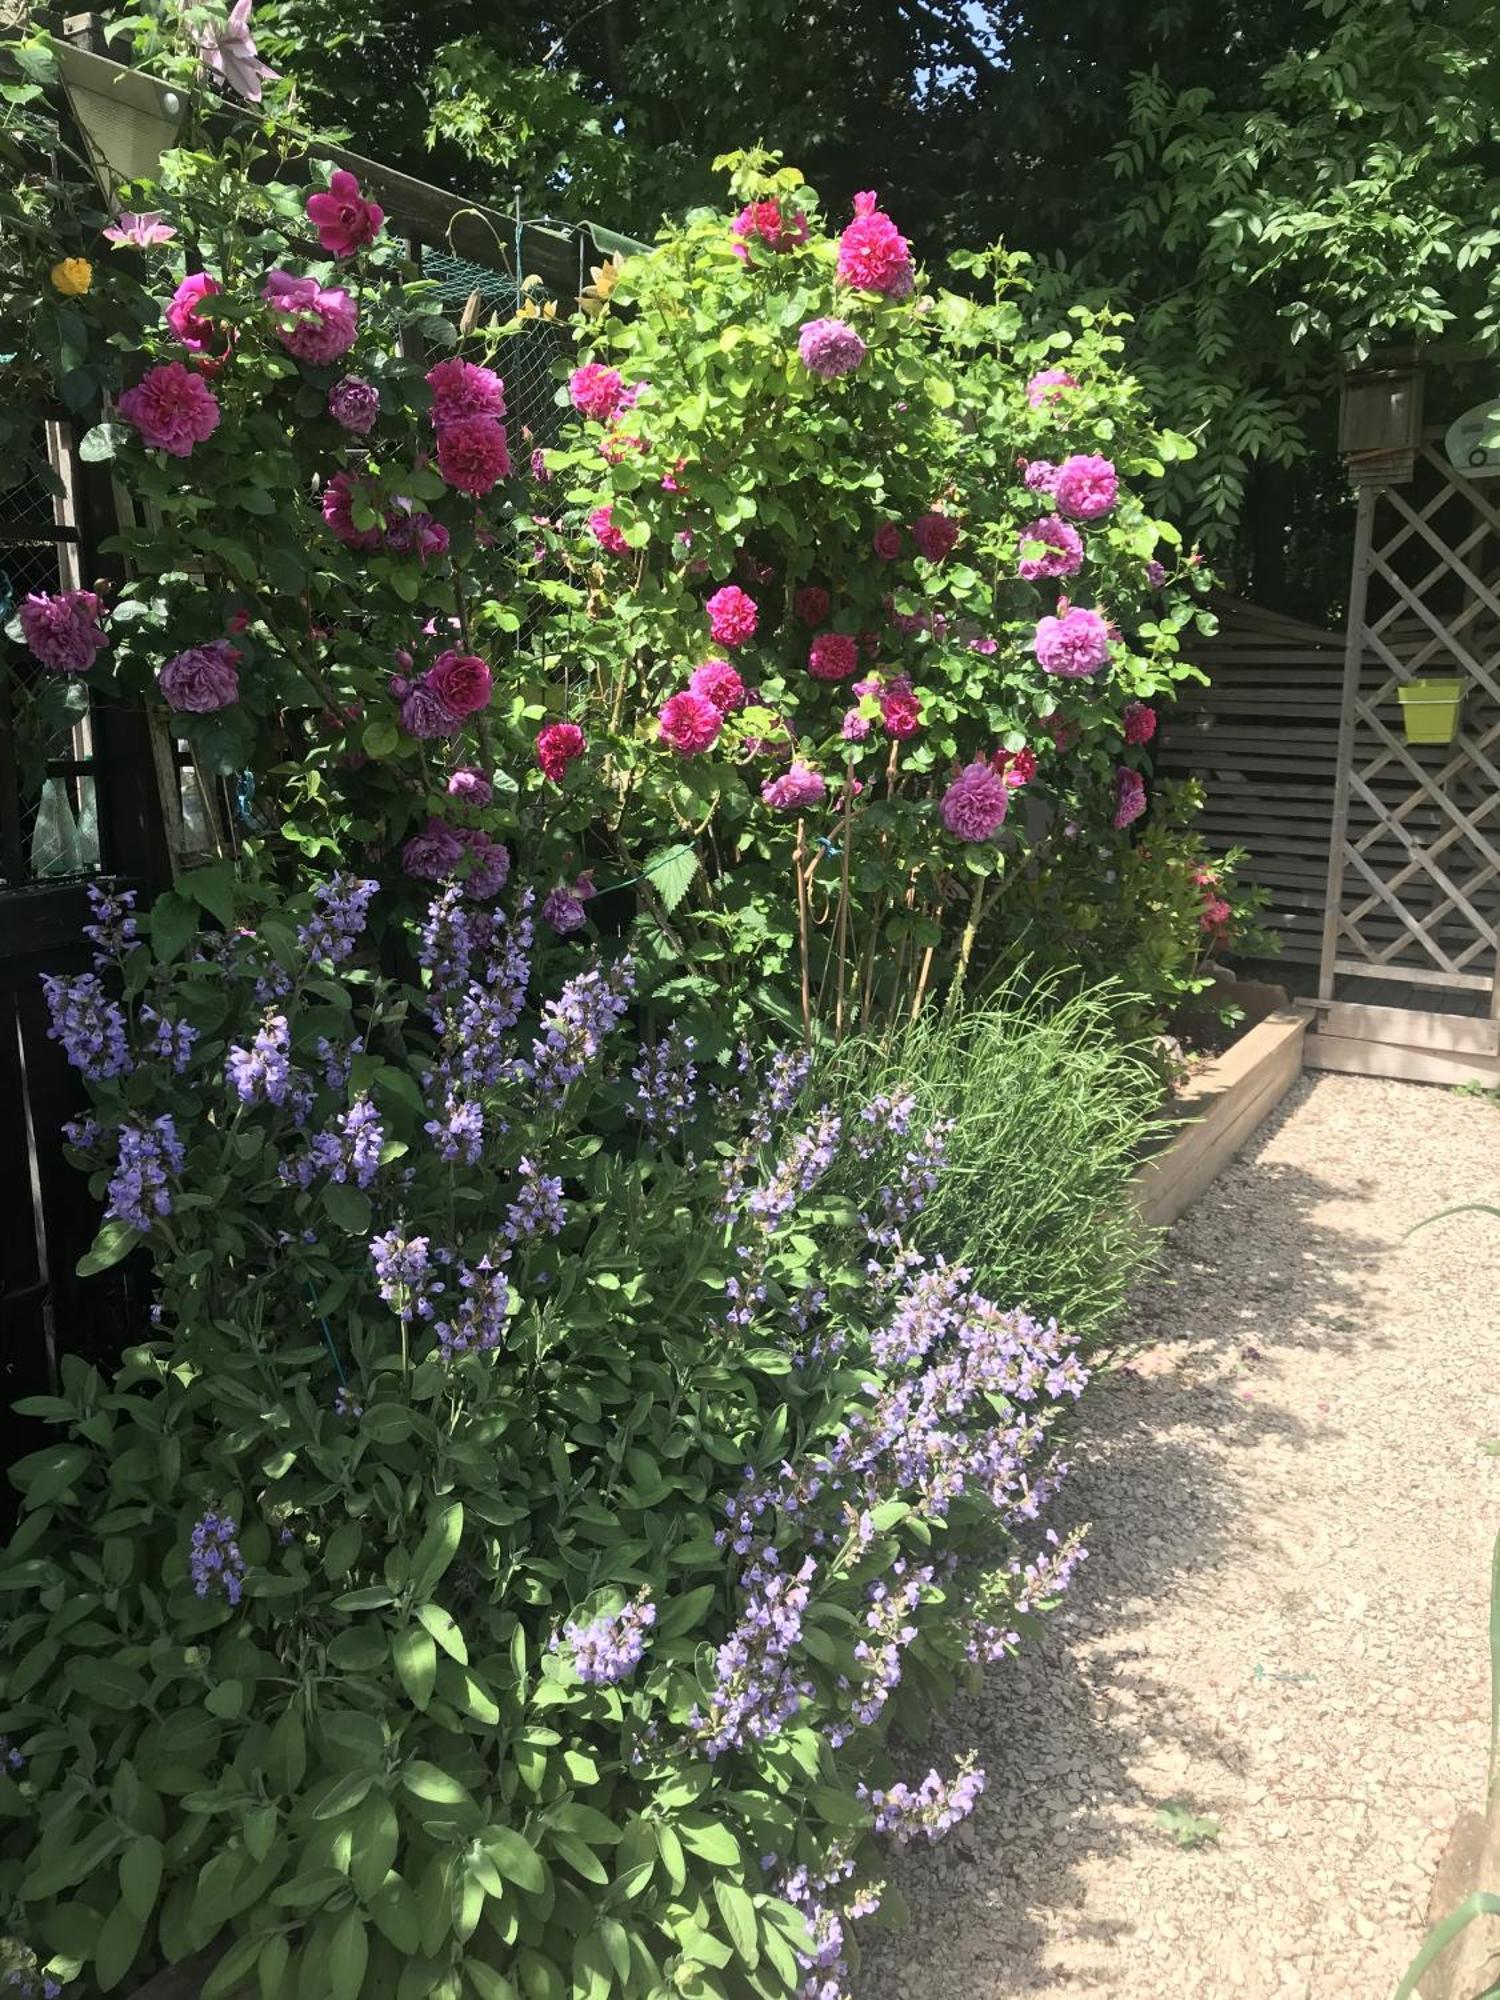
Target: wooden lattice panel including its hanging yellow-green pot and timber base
x=1411 y=949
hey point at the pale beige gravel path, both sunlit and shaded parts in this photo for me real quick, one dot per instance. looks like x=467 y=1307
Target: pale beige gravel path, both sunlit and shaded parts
x=1285 y=1607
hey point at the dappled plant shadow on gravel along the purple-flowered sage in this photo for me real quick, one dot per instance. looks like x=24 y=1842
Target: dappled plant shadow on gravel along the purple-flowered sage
x=1081 y=1749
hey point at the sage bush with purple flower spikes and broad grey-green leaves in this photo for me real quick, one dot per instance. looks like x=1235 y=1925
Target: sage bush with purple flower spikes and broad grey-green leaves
x=547 y=1487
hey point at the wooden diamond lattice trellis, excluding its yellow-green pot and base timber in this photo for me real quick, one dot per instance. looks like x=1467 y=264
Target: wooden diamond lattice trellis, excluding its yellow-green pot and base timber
x=1415 y=865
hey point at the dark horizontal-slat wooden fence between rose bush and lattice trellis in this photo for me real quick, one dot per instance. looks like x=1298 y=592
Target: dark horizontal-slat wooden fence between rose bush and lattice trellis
x=1263 y=739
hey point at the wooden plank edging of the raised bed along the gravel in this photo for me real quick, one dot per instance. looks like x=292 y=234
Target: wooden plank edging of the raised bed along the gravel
x=1225 y=1103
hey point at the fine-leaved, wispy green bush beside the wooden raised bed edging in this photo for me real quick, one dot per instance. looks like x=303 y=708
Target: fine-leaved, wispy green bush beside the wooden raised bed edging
x=1049 y=1103
